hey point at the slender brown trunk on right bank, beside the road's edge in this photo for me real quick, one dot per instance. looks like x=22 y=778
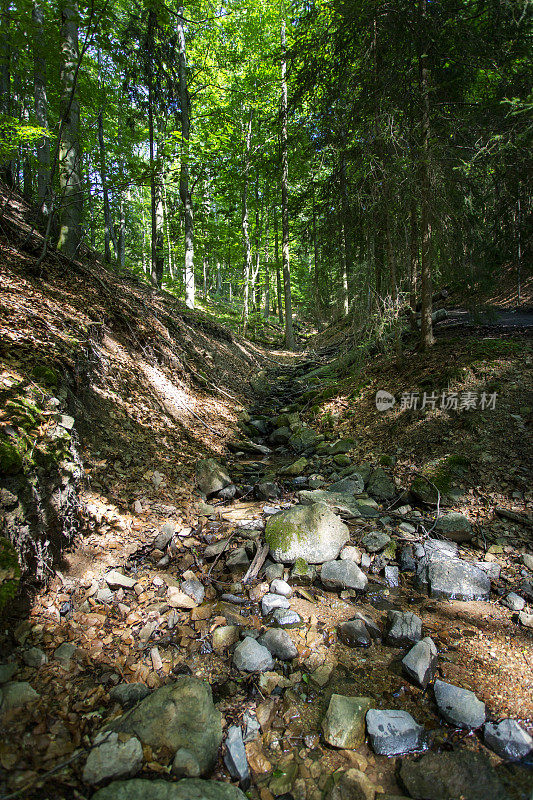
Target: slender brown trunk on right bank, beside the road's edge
x=427 y=338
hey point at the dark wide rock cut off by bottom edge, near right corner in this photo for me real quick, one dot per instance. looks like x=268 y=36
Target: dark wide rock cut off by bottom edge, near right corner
x=460 y=775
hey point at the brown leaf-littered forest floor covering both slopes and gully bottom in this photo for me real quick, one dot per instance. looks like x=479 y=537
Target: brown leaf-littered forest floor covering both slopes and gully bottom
x=153 y=388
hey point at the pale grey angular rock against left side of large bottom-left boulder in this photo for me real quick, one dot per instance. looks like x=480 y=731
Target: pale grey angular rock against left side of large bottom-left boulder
x=113 y=759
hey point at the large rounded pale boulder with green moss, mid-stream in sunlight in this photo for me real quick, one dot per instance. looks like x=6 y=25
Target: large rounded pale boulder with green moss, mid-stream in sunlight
x=313 y=533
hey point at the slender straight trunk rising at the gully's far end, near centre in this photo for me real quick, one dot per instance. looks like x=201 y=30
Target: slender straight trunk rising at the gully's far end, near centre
x=289 y=333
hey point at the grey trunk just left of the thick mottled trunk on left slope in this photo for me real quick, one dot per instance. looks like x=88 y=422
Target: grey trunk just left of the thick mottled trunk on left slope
x=41 y=107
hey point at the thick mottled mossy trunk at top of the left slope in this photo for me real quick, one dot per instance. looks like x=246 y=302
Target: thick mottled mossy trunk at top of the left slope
x=70 y=150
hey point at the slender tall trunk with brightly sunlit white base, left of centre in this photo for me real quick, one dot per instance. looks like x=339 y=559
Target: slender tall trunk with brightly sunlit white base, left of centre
x=185 y=192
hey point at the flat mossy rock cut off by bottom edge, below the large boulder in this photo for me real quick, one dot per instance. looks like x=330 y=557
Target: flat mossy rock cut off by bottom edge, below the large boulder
x=187 y=789
